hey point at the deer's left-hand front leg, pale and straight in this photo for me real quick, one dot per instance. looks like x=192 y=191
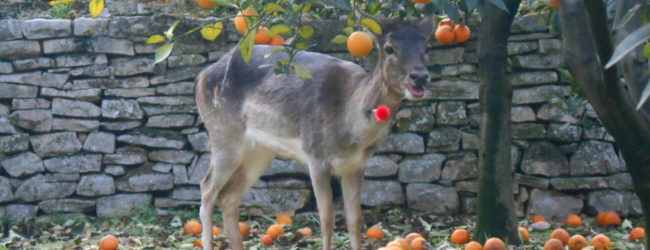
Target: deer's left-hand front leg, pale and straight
x=320 y=178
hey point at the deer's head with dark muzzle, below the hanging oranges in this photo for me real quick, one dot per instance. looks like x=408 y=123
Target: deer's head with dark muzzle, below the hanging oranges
x=403 y=58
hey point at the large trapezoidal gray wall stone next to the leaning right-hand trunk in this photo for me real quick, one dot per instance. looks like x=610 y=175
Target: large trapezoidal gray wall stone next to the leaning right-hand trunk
x=595 y=157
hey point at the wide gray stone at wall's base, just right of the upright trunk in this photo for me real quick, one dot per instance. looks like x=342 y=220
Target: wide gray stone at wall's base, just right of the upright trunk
x=554 y=206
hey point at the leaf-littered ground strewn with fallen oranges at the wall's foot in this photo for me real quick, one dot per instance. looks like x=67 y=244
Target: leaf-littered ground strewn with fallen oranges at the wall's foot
x=145 y=229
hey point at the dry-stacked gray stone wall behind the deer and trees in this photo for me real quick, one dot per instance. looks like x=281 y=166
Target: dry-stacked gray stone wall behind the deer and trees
x=88 y=124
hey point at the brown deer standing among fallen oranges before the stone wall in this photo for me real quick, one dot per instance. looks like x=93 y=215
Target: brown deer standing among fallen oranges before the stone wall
x=325 y=122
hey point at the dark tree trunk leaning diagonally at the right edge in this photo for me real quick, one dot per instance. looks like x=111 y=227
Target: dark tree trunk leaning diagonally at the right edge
x=612 y=103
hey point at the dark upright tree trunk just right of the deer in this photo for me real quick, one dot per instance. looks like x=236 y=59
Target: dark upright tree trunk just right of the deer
x=496 y=215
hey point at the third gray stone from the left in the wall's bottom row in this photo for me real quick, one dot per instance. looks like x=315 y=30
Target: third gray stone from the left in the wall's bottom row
x=121 y=204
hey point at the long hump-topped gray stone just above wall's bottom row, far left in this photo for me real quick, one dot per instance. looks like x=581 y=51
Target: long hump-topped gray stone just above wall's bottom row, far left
x=37 y=188
